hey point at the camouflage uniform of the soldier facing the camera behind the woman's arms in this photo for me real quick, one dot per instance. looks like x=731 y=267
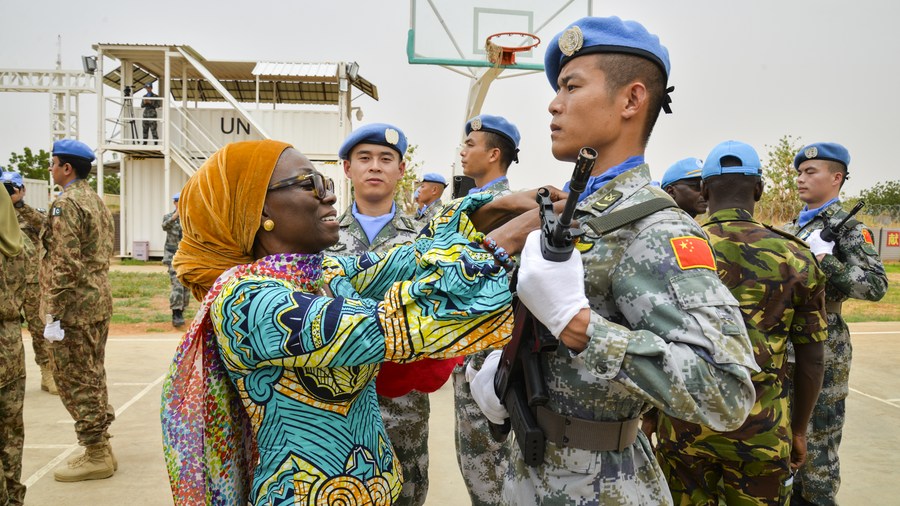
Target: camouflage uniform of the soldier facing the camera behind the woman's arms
x=405 y=417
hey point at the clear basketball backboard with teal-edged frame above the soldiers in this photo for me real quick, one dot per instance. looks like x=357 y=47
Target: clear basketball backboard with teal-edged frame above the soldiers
x=452 y=33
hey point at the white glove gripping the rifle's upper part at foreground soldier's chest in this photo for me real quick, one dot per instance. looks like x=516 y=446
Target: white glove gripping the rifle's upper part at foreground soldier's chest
x=552 y=291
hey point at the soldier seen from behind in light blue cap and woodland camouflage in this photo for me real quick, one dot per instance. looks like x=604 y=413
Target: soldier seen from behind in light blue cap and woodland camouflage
x=781 y=290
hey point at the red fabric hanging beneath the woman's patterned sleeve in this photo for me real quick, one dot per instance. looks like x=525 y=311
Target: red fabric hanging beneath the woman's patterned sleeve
x=426 y=375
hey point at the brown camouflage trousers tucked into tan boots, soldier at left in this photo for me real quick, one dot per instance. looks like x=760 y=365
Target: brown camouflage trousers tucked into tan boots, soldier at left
x=78 y=362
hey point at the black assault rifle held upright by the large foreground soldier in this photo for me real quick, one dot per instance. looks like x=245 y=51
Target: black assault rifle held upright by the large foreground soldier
x=520 y=383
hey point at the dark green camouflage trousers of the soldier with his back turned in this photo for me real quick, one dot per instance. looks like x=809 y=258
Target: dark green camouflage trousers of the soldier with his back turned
x=710 y=482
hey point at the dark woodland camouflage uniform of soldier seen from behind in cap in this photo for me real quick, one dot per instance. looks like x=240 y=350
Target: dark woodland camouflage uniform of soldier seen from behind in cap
x=781 y=290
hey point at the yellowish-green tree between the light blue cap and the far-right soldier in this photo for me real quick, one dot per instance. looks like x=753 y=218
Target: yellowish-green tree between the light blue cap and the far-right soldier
x=780 y=201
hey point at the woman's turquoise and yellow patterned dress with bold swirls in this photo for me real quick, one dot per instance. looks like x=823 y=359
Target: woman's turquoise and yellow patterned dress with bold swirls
x=303 y=363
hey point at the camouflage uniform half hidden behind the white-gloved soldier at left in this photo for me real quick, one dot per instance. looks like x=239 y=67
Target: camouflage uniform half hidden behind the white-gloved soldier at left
x=31 y=221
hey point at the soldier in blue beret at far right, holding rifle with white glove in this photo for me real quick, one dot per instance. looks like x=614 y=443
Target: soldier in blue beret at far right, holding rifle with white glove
x=854 y=270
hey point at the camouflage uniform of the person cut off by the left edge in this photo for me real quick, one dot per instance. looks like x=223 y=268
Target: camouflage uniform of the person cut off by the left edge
x=14 y=274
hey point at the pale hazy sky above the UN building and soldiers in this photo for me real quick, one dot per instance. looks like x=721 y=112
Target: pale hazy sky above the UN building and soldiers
x=754 y=71
